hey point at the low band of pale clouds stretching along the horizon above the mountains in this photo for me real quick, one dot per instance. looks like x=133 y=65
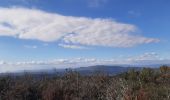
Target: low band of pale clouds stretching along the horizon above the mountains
x=143 y=59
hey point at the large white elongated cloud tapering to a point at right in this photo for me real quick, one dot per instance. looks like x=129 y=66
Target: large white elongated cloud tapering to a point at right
x=24 y=23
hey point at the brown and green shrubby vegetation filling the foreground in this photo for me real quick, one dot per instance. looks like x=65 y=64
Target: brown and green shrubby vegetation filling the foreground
x=147 y=84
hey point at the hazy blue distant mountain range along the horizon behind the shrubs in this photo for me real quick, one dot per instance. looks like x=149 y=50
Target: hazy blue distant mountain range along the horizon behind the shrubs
x=108 y=69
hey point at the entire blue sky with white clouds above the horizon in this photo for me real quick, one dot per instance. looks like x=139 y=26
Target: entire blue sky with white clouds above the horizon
x=43 y=34
